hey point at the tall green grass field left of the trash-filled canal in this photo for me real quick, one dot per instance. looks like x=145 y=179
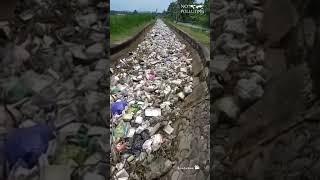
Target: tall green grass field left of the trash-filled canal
x=124 y=26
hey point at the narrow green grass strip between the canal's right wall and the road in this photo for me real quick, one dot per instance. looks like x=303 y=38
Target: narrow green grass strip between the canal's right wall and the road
x=198 y=34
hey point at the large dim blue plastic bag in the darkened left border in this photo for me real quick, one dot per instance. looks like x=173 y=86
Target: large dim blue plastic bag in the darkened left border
x=28 y=144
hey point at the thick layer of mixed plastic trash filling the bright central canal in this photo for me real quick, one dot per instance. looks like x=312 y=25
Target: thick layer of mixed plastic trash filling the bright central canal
x=146 y=90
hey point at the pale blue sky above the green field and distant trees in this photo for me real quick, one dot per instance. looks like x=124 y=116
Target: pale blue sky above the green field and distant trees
x=141 y=5
